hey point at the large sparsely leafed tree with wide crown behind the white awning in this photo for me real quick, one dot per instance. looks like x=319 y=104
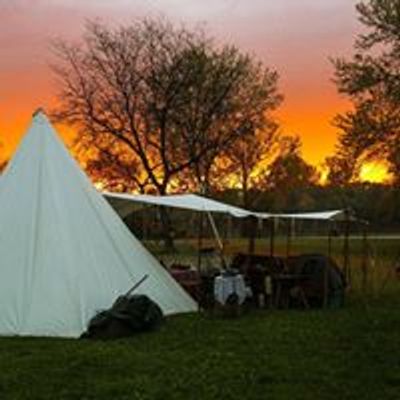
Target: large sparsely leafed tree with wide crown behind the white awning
x=167 y=96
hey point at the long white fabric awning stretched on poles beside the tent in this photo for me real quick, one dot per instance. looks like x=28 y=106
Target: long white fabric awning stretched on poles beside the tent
x=125 y=203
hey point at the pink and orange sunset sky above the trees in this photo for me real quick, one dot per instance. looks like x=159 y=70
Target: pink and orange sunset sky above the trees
x=296 y=37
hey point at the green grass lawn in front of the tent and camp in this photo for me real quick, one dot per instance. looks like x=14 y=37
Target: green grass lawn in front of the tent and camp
x=351 y=353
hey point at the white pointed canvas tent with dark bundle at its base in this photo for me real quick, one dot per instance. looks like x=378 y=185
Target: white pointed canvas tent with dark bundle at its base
x=65 y=253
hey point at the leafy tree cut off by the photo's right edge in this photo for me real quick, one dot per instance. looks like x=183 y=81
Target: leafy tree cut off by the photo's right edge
x=371 y=78
